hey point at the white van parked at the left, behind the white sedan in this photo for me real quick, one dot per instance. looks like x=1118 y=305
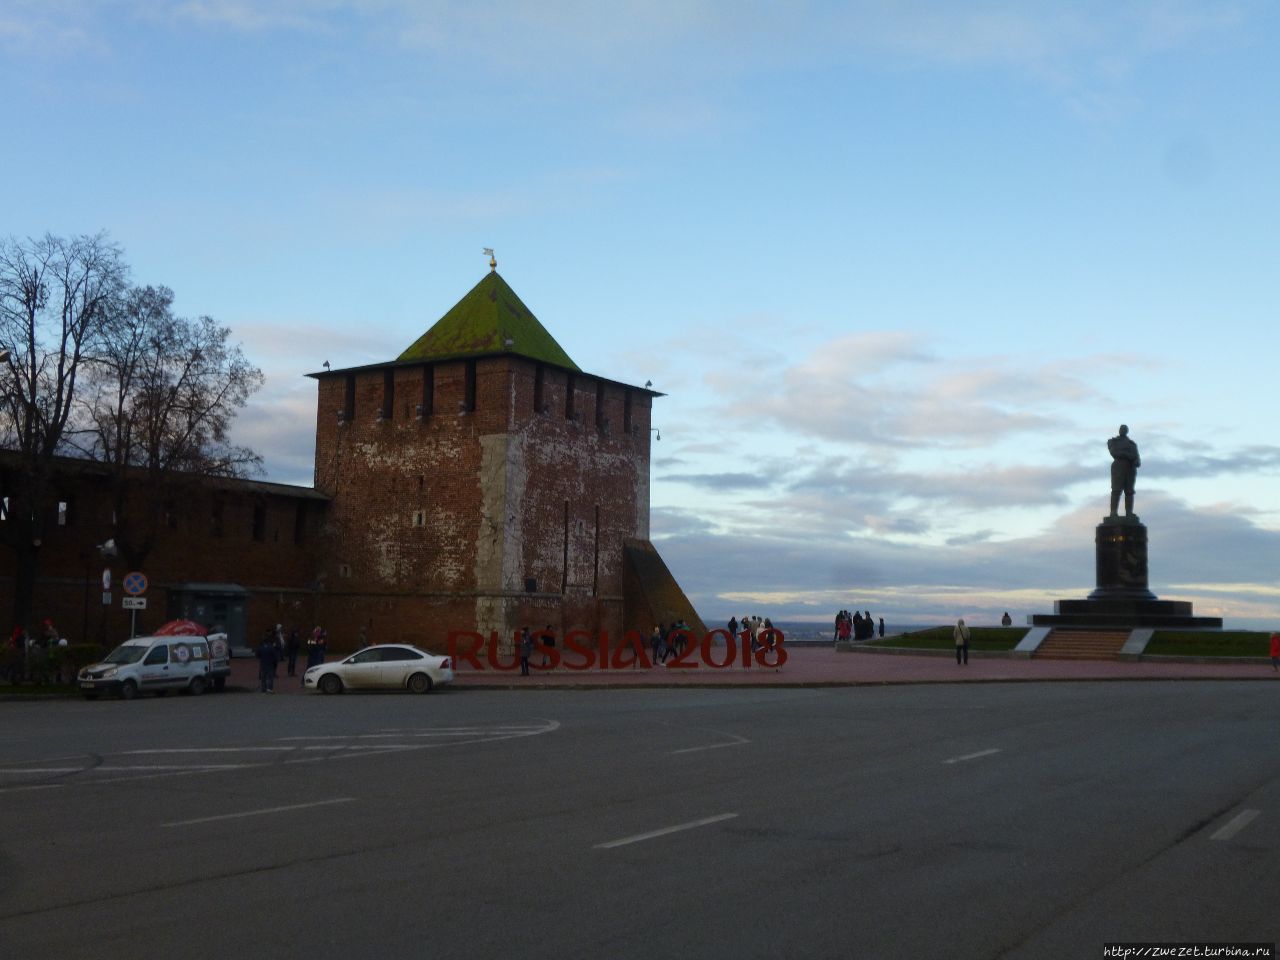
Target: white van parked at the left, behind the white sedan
x=150 y=665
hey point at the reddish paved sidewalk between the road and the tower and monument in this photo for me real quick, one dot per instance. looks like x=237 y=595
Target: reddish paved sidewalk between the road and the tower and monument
x=820 y=666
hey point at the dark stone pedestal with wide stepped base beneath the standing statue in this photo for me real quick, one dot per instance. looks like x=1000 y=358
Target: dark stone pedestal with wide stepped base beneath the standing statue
x=1122 y=598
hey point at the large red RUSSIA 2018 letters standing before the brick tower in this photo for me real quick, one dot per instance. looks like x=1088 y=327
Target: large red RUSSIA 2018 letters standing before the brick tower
x=715 y=651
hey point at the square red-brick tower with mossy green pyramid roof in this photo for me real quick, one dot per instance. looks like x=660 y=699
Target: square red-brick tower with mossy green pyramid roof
x=483 y=482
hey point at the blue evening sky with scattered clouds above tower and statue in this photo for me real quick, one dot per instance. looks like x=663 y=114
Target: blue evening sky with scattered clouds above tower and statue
x=900 y=268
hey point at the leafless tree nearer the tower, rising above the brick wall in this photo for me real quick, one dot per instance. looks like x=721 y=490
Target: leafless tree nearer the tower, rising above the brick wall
x=161 y=396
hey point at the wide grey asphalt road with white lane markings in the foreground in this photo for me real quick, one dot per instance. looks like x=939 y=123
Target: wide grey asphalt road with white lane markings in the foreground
x=968 y=821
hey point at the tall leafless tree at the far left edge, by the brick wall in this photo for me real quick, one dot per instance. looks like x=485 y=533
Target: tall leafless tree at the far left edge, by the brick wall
x=56 y=300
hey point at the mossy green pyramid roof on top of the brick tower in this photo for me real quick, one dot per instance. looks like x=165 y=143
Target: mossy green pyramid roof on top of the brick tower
x=491 y=319
